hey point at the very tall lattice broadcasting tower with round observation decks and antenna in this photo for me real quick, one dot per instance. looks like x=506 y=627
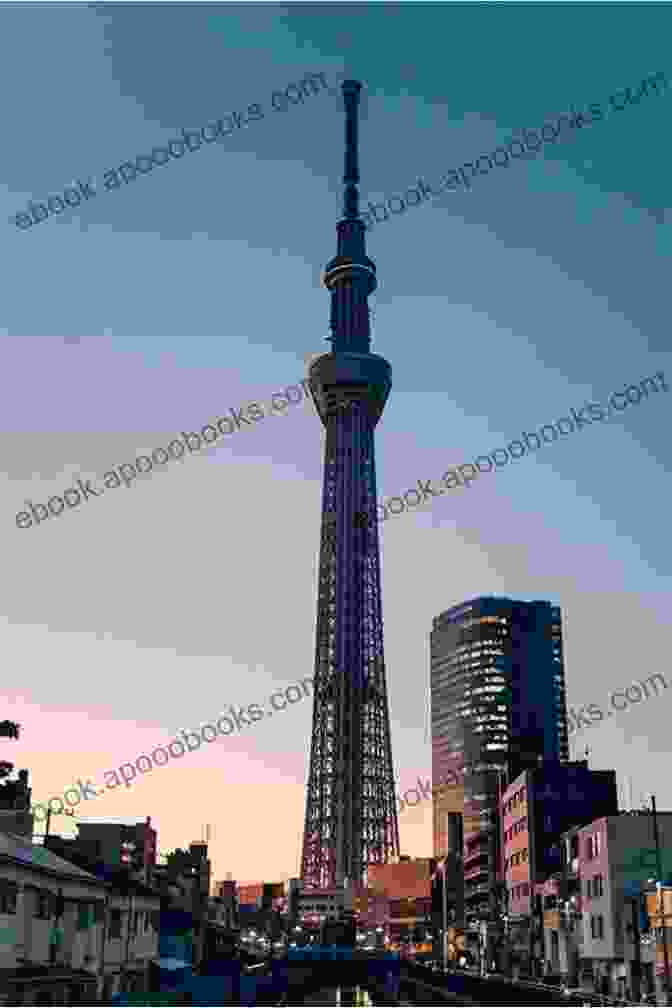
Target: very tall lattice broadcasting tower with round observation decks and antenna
x=351 y=818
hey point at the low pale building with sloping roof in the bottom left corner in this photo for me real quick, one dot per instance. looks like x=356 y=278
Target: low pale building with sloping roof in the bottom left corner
x=67 y=936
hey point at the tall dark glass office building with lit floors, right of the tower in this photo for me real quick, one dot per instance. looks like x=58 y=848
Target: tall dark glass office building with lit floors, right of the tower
x=498 y=707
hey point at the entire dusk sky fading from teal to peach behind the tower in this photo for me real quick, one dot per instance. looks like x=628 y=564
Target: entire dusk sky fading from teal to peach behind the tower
x=151 y=310
